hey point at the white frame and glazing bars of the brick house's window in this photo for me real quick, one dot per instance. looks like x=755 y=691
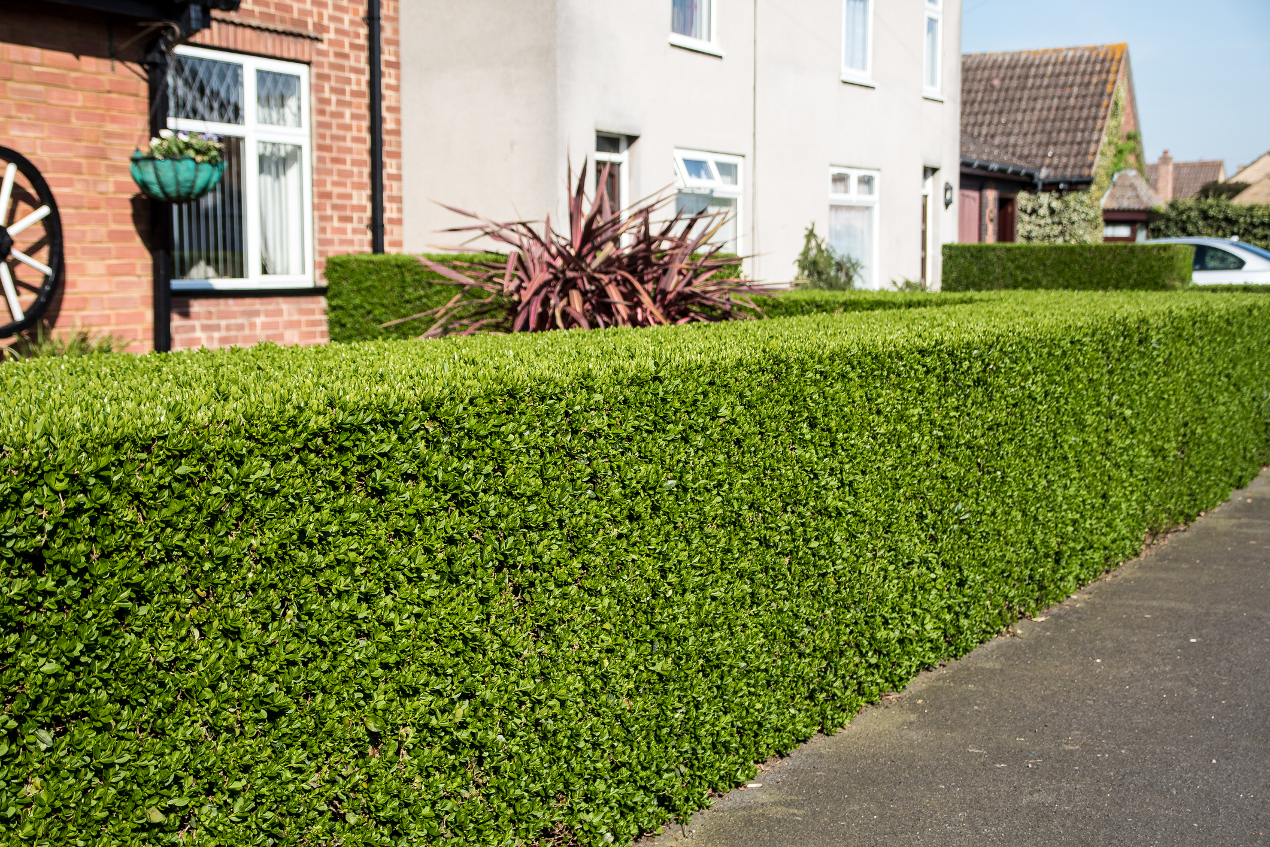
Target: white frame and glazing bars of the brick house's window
x=253 y=134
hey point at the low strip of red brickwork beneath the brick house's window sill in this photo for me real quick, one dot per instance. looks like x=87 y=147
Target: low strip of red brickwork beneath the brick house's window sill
x=223 y=322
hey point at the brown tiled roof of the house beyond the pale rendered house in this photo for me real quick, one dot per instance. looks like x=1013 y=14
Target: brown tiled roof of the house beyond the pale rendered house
x=1047 y=109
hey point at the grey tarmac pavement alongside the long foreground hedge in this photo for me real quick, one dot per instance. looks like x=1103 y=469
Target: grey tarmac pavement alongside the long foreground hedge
x=1136 y=713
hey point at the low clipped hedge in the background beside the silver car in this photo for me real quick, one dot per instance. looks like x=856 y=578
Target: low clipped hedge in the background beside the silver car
x=1089 y=267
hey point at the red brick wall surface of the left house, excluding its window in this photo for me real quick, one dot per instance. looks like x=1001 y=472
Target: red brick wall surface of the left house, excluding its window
x=79 y=116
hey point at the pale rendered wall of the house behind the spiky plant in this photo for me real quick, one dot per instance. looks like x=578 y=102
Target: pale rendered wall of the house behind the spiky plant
x=492 y=143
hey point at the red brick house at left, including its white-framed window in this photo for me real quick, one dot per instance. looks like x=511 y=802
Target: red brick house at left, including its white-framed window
x=288 y=83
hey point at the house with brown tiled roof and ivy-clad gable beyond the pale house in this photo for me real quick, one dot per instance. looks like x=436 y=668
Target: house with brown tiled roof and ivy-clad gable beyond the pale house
x=1041 y=120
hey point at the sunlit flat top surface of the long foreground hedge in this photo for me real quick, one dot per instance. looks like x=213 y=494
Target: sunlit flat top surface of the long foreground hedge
x=110 y=398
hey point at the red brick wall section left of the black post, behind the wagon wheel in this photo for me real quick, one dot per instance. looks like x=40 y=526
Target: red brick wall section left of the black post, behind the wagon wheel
x=78 y=116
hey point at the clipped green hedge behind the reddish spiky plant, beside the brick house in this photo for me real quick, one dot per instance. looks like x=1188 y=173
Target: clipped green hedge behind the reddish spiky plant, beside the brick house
x=365 y=291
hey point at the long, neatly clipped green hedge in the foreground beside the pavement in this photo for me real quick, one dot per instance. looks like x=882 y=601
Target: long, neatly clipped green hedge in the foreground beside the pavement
x=556 y=589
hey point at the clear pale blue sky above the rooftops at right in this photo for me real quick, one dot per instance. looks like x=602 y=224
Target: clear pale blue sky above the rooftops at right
x=1202 y=70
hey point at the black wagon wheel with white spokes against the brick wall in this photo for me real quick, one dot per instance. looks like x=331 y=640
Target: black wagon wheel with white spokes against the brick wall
x=31 y=243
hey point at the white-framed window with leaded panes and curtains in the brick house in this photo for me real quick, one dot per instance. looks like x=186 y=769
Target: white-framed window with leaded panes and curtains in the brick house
x=255 y=229
